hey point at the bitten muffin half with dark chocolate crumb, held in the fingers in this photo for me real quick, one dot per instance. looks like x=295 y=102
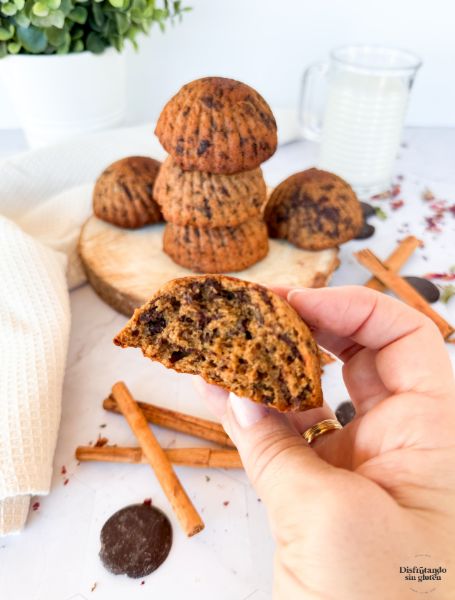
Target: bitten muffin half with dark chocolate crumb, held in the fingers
x=235 y=334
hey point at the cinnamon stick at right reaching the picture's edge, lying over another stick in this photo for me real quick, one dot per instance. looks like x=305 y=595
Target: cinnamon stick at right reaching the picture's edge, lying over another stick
x=402 y=289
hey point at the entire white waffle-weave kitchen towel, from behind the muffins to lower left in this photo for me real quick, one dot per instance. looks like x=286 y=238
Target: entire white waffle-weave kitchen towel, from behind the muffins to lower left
x=40 y=220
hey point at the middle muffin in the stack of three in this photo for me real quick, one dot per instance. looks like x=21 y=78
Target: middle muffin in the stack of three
x=208 y=200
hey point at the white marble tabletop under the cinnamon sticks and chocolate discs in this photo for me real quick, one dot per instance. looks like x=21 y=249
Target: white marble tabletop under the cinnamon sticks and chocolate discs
x=56 y=558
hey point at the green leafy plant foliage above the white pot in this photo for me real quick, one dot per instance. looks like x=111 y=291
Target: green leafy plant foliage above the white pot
x=64 y=26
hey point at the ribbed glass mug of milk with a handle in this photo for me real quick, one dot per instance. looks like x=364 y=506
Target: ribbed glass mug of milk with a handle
x=360 y=120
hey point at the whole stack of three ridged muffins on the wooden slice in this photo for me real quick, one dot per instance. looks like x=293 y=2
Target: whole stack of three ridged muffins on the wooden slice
x=210 y=189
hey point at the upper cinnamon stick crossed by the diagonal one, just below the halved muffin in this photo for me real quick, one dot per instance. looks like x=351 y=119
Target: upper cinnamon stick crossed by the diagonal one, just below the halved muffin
x=172 y=419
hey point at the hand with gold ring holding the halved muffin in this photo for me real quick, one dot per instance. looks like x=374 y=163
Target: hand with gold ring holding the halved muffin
x=361 y=502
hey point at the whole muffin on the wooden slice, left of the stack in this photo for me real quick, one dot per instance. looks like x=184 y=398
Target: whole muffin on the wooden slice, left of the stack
x=123 y=193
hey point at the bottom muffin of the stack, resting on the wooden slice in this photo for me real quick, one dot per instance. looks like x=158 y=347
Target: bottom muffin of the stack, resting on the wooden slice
x=218 y=249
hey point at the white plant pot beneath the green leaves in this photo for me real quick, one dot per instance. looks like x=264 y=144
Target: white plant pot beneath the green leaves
x=56 y=97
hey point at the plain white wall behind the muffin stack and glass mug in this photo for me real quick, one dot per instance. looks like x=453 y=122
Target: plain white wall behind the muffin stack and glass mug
x=268 y=43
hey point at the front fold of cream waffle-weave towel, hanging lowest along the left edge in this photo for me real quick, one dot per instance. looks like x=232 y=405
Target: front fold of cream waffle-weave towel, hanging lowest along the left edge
x=34 y=330
